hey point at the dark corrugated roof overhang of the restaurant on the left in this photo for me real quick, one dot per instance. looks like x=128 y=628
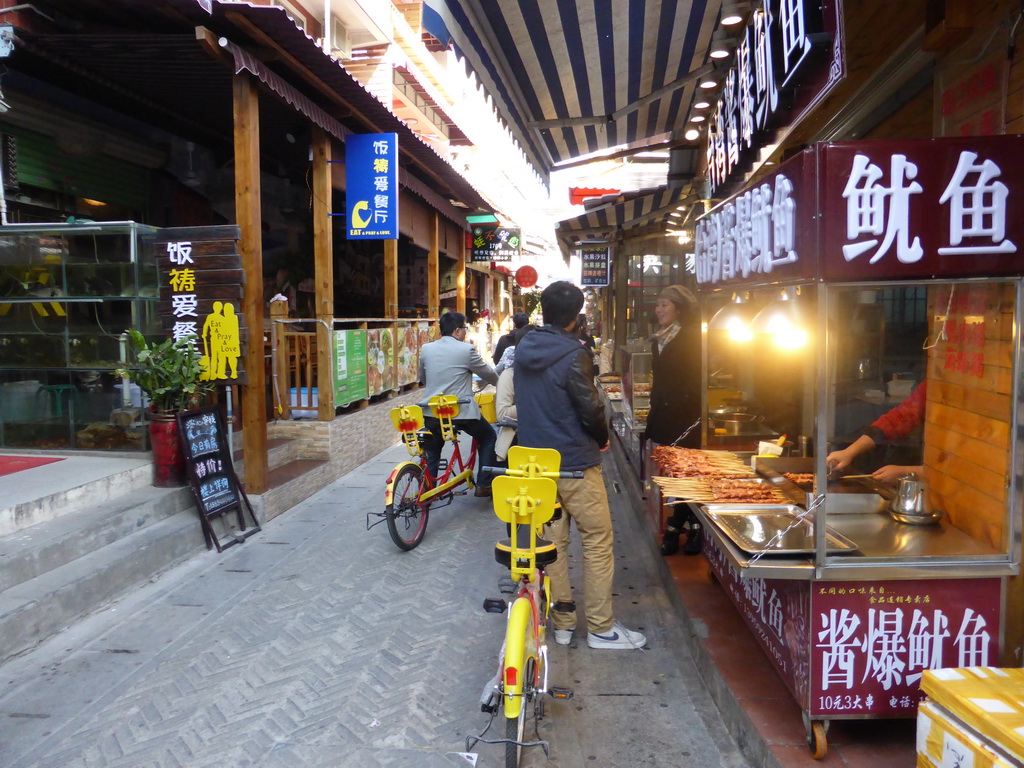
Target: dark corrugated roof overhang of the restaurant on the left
x=145 y=60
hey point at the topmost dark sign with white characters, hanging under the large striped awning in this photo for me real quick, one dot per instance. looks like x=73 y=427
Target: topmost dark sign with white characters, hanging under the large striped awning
x=790 y=58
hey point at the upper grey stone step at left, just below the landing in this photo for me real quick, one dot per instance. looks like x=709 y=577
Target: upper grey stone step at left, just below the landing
x=34 y=551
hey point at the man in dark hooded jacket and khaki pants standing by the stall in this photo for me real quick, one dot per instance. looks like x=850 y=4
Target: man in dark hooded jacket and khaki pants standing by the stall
x=559 y=408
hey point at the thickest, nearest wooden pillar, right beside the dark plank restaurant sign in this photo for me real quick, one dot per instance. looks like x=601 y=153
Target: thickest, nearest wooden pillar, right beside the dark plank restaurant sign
x=248 y=217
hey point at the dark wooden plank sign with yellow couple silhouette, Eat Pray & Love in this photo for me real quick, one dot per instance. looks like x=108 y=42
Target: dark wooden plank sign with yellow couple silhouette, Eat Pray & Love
x=201 y=289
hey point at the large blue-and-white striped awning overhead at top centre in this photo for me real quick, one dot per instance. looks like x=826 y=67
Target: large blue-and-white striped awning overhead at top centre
x=576 y=77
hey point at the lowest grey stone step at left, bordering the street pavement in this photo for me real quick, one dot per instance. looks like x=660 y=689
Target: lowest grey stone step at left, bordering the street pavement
x=40 y=608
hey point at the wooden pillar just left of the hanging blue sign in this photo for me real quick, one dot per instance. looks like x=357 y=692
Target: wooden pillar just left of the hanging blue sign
x=324 y=270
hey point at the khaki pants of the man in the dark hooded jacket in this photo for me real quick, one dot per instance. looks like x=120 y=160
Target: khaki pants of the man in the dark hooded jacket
x=586 y=502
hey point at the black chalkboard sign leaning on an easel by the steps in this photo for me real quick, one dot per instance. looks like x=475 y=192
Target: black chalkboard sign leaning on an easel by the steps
x=211 y=475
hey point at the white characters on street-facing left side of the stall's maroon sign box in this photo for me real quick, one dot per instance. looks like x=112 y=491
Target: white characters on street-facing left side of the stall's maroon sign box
x=755 y=233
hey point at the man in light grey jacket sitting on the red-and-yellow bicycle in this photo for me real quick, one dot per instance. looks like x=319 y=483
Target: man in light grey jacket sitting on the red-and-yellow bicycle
x=447 y=367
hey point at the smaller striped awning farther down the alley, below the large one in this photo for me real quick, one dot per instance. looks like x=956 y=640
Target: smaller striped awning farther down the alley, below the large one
x=610 y=218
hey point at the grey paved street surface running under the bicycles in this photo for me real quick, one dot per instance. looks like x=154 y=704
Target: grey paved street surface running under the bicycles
x=319 y=644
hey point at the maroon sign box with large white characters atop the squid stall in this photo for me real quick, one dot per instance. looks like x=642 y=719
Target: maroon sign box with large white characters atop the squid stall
x=875 y=210
